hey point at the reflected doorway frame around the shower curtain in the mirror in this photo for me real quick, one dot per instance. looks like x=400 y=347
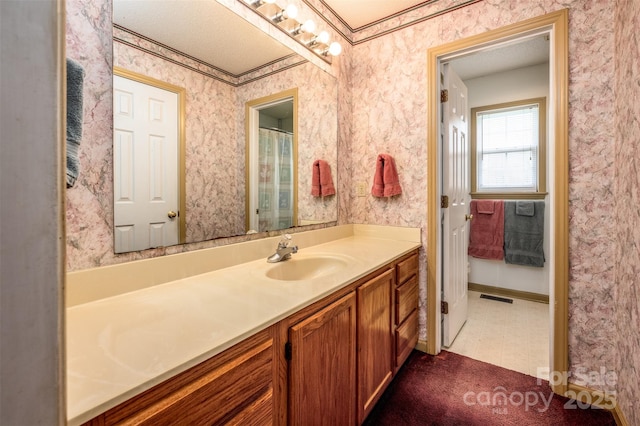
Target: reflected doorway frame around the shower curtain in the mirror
x=252 y=109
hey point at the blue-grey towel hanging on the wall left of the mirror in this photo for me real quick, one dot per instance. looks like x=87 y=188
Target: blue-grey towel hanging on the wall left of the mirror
x=75 y=117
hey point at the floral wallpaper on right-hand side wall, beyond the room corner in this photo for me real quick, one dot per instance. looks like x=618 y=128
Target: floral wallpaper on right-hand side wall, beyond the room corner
x=627 y=214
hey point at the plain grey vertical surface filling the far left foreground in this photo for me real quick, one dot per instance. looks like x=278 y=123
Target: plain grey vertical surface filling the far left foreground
x=31 y=211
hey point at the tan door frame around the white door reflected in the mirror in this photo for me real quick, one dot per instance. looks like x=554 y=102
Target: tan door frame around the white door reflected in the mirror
x=182 y=119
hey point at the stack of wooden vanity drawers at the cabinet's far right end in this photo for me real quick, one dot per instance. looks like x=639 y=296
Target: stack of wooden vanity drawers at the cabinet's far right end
x=406 y=307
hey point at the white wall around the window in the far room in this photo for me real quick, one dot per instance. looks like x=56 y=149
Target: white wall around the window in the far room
x=523 y=83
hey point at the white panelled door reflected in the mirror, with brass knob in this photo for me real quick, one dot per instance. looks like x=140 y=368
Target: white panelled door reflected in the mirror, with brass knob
x=145 y=158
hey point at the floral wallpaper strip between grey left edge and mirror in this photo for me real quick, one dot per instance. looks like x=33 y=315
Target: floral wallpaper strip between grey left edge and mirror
x=89 y=218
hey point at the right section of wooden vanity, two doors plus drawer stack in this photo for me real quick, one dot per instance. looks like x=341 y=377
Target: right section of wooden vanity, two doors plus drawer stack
x=324 y=386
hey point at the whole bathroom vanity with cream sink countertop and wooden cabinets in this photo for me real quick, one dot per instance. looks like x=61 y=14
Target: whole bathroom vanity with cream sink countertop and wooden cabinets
x=319 y=336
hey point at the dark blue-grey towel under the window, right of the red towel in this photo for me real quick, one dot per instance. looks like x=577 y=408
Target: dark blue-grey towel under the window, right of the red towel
x=524 y=235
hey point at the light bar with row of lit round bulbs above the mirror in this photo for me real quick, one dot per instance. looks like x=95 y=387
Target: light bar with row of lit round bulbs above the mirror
x=304 y=33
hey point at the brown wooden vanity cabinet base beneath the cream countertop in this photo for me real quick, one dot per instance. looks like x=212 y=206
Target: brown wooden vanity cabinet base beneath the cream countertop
x=340 y=355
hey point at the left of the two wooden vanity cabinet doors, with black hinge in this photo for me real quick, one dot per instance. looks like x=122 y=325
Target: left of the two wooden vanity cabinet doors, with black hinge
x=322 y=368
